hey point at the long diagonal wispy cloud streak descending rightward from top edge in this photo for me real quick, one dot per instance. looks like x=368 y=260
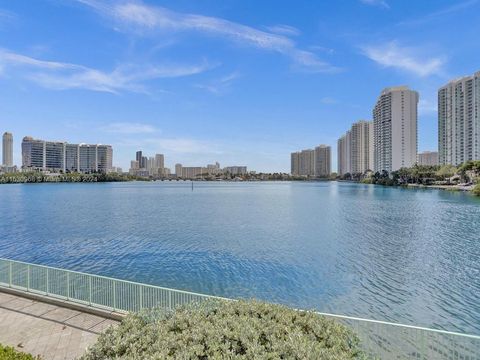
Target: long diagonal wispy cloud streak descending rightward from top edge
x=144 y=19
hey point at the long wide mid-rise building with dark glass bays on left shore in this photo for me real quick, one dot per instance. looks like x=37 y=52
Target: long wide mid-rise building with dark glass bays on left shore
x=61 y=156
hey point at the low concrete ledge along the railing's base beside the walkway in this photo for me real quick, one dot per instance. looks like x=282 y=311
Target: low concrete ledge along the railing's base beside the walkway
x=118 y=316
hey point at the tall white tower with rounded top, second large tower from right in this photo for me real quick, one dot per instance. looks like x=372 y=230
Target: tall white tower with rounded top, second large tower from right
x=395 y=129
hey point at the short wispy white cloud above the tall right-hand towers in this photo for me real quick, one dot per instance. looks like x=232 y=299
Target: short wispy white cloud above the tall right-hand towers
x=404 y=58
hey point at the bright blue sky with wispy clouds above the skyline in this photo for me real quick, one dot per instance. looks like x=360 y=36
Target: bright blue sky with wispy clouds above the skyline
x=239 y=82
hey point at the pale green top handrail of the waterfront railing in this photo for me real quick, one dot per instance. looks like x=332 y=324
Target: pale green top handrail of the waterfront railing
x=344 y=317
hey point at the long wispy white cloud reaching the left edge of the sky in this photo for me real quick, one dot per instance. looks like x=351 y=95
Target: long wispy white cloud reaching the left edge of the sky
x=61 y=75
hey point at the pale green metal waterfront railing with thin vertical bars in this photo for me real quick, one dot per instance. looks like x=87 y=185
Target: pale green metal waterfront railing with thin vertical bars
x=380 y=339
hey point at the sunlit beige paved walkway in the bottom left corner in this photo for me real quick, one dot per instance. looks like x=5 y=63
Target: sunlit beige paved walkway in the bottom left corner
x=51 y=331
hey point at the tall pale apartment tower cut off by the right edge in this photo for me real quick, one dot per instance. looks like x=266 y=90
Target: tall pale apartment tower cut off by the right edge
x=459 y=120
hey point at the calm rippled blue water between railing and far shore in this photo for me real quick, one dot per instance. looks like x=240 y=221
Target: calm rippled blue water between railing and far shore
x=410 y=256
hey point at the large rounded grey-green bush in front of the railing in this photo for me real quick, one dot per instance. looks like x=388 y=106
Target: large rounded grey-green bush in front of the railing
x=226 y=330
